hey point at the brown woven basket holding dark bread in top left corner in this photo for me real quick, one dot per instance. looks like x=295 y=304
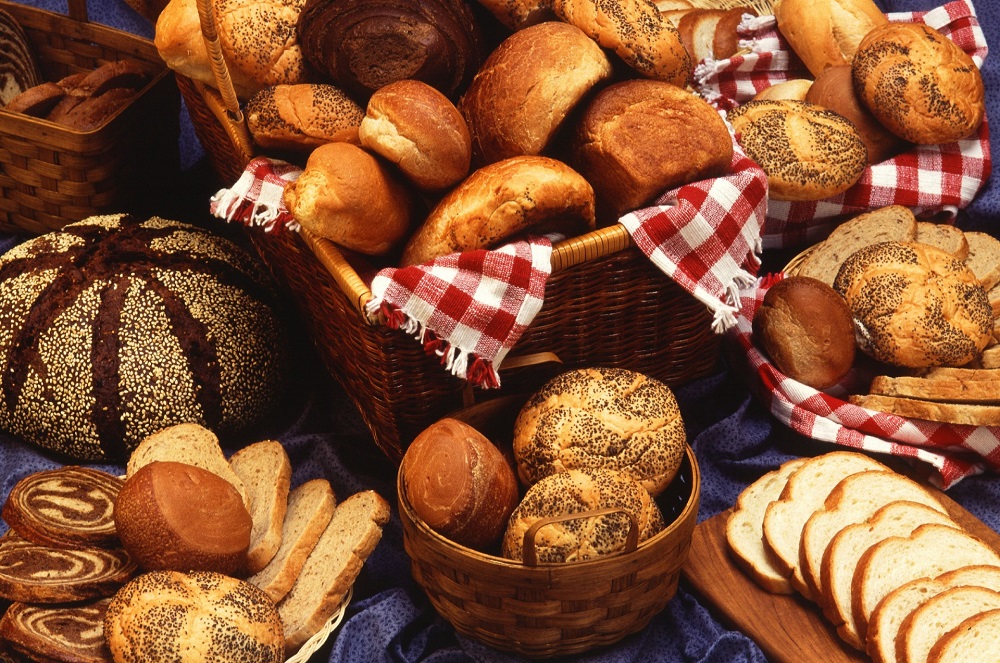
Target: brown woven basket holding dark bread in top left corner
x=51 y=175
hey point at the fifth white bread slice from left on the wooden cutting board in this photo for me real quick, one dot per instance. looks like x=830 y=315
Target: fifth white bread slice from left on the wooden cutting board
x=930 y=550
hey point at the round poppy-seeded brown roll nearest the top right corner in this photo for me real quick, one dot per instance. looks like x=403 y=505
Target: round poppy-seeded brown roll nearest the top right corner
x=919 y=83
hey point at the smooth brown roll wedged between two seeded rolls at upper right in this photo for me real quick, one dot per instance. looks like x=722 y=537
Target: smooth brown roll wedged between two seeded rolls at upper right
x=833 y=89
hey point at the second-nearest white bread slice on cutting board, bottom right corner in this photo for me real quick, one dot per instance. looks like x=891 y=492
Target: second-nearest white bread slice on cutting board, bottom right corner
x=923 y=627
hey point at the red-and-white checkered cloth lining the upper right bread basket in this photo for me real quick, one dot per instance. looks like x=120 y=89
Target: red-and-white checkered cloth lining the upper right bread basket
x=926 y=178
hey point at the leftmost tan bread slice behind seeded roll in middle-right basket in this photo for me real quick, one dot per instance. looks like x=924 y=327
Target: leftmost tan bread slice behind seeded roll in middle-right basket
x=892 y=223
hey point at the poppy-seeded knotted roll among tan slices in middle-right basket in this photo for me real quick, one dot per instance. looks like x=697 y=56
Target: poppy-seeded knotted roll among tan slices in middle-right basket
x=915 y=305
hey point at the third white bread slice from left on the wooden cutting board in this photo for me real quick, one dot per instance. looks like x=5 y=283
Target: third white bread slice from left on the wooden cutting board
x=853 y=500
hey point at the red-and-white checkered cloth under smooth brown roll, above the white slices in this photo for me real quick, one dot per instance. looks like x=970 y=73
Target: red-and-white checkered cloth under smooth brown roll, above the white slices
x=952 y=451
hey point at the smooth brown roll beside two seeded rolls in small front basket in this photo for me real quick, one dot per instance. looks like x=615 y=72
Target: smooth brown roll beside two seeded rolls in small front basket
x=459 y=483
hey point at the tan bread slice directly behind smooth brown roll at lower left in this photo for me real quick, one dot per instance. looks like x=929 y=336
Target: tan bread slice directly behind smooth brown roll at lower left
x=186 y=443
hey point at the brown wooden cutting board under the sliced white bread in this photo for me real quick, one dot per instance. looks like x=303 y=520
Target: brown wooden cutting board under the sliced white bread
x=788 y=628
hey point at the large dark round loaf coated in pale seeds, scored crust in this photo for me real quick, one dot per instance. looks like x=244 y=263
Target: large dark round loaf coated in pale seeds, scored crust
x=118 y=327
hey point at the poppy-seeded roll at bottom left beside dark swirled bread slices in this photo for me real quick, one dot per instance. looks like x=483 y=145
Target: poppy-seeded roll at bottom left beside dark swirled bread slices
x=200 y=616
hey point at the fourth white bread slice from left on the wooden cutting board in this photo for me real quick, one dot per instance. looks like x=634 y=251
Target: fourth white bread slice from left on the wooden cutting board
x=846 y=548
